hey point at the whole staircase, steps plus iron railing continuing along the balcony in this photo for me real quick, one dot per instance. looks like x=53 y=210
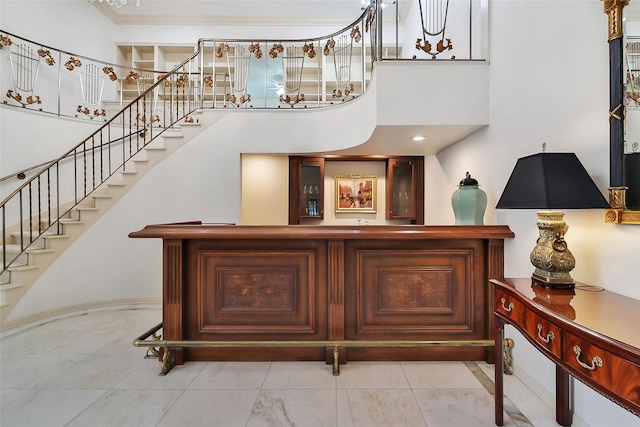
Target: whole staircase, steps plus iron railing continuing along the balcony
x=47 y=212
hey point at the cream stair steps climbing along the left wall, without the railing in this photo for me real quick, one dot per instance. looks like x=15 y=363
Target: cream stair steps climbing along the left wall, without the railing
x=16 y=280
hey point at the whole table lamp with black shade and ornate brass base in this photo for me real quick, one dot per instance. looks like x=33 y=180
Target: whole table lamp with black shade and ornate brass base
x=551 y=181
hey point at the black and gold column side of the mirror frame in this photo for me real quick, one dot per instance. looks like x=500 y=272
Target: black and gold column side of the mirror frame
x=618 y=213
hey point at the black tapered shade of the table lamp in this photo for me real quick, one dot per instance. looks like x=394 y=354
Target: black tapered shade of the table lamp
x=551 y=181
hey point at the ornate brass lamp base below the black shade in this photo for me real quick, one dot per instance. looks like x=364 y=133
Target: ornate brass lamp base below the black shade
x=551 y=256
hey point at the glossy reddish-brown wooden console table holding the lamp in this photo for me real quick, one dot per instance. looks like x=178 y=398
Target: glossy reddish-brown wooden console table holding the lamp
x=590 y=334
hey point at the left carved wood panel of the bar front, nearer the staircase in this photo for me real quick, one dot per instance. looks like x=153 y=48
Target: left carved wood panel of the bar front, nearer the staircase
x=256 y=290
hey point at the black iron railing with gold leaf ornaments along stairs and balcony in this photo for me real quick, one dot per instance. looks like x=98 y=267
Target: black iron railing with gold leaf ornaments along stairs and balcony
x=166 y=100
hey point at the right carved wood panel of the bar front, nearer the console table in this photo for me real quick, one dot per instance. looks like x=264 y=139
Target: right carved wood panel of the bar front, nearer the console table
x=418 y=290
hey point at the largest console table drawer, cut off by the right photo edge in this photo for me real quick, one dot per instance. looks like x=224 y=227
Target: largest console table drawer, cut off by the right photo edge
x=603 y=369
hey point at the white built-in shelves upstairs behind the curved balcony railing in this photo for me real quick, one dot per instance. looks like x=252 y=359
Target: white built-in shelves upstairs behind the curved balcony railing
x=314 y=79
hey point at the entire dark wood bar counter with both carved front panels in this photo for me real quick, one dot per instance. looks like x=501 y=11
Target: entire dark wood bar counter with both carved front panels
x=293 y=283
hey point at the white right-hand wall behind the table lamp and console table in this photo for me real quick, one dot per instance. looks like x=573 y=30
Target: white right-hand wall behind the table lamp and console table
x=549 y=83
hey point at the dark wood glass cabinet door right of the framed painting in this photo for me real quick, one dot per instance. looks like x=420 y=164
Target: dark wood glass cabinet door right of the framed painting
x=404 y=190
